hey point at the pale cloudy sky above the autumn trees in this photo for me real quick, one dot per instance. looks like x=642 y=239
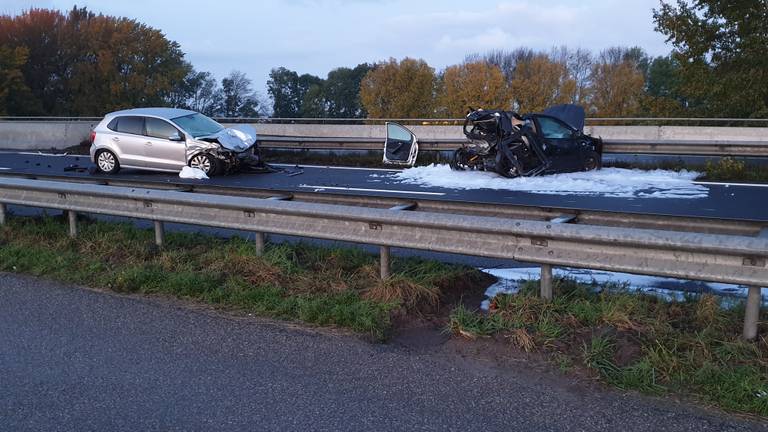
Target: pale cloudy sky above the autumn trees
x=315 y=36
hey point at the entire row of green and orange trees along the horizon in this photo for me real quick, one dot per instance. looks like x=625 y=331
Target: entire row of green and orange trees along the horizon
x=85 y=64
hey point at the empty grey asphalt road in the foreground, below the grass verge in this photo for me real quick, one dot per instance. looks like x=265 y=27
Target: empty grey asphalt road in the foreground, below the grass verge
x=76 y=359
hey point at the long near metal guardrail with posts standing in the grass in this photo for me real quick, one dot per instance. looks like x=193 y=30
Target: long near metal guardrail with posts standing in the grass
x=732 y=259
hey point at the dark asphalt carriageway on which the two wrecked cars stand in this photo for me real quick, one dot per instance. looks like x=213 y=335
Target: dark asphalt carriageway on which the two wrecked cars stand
x=731 y=201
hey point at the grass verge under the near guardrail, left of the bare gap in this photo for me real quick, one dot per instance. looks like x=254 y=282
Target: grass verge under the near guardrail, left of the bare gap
x=324 y=286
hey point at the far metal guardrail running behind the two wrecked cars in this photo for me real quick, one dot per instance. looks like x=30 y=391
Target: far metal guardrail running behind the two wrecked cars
x=675 y=147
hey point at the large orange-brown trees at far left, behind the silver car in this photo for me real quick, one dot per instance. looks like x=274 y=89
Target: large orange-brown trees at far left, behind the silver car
x=87 y=64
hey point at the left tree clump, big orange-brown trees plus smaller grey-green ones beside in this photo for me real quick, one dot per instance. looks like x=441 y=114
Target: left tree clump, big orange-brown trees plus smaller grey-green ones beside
x=86 y=64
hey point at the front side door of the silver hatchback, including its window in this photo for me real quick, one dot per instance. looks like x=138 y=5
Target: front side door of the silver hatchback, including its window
x=165 y=147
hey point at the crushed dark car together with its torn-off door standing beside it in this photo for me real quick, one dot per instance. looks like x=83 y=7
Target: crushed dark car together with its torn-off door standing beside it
x=512 y=145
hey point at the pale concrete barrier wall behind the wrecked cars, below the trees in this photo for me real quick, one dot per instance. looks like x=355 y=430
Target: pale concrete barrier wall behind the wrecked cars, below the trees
x=45 y=135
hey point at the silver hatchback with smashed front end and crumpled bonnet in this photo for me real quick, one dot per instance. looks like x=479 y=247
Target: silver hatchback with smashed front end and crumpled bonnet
x=167 y=139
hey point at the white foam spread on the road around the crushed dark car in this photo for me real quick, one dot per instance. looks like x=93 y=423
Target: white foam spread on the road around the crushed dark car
x=613 y=182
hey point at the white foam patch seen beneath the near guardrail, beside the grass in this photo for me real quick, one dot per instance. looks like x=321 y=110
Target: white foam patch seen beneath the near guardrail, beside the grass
x=508 y=282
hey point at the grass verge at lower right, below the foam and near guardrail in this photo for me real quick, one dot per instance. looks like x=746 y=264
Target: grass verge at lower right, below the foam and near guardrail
x=634 y=341
